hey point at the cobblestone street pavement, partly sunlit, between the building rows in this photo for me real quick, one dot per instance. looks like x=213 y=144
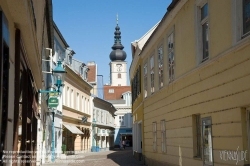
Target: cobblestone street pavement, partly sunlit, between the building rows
x=106 y=158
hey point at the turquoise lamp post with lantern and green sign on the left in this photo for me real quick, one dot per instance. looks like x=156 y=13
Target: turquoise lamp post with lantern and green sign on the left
x=59 y=75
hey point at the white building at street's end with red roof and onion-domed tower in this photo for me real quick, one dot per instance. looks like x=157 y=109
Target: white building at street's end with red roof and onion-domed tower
x=118 y=93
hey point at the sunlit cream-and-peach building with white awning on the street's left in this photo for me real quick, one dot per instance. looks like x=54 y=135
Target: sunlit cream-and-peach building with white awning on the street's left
x=76 y=106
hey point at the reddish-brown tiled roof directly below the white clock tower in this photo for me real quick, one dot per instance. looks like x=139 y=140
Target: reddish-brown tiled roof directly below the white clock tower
x=115 y=92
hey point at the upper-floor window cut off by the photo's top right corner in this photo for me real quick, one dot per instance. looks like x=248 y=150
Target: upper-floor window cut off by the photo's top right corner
x=246 y=16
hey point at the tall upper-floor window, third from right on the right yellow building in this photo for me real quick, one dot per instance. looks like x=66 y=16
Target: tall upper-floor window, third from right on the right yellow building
x=171 y=62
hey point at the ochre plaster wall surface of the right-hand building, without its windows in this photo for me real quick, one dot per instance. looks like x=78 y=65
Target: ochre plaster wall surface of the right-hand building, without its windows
x=218 y=88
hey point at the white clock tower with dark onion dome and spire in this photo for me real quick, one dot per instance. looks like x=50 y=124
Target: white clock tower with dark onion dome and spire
x=118 y=65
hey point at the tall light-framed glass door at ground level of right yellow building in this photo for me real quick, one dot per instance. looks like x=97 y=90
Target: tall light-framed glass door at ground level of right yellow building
x=207 y=141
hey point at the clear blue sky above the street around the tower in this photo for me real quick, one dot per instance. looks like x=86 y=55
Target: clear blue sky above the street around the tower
x=89 y=26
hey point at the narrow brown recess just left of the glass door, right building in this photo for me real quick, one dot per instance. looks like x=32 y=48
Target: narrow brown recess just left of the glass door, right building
x=197 y=136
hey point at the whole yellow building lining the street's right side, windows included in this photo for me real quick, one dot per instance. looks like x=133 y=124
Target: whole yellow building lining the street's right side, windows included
x=194 y=73
